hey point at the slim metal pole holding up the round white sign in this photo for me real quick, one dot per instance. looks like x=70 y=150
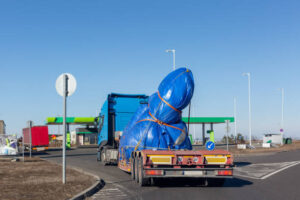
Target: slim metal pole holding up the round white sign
x=64 y=127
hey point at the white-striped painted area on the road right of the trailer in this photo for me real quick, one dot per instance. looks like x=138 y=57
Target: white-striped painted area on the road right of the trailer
x=263 y=170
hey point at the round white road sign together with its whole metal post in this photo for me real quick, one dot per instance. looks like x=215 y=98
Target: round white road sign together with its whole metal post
x=65 y=86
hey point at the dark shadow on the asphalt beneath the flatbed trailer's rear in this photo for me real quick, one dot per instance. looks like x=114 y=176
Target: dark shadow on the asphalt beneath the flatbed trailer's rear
x=195 y=182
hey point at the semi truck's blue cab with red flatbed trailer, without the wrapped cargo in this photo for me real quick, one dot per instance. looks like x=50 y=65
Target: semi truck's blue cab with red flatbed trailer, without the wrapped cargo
x=149 y=164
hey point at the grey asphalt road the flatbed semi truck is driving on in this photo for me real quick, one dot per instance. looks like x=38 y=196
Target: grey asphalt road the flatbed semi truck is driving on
x=271 y=176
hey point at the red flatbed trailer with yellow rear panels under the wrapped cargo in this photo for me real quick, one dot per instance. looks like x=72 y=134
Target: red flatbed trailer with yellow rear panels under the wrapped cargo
x=147 y=164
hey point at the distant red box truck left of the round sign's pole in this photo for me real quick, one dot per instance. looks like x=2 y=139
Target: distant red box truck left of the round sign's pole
x=39 y=138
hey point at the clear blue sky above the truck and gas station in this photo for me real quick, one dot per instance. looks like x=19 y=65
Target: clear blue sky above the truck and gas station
x=119 y=46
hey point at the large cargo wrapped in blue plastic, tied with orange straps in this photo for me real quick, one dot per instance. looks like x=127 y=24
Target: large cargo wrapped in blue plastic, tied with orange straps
x=158 y=125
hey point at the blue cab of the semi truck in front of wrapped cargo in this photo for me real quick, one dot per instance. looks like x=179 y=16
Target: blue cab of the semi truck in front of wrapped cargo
x=115 y=114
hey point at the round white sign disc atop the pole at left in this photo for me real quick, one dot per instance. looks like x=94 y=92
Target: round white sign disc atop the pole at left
x=71 y=84
